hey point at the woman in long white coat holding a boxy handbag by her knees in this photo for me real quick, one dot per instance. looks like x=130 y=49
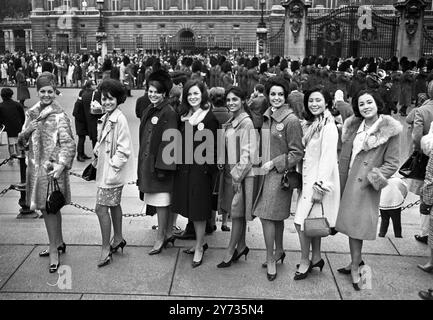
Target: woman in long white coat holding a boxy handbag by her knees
x=320 y=178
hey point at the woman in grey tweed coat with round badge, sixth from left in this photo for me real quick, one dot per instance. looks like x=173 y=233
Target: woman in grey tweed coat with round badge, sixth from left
x=282 y=149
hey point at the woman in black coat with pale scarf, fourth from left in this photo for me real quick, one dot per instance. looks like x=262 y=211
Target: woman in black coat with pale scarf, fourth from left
x=193 y=183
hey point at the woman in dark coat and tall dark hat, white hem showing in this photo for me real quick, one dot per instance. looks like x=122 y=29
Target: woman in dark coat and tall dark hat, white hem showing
x=155 y=174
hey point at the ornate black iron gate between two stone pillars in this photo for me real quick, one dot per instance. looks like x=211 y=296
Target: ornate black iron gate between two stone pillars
x=337 y=33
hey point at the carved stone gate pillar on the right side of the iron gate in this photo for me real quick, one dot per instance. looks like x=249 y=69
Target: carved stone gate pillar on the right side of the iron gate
x=410 y=31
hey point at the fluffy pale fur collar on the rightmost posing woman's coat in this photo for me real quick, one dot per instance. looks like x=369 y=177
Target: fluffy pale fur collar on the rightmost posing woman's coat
x=385 y=129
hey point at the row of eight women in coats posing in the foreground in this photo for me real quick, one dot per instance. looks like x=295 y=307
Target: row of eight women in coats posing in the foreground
x=345 y=189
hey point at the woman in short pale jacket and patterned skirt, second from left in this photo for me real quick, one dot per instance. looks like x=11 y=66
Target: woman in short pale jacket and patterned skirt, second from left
x=114 y=167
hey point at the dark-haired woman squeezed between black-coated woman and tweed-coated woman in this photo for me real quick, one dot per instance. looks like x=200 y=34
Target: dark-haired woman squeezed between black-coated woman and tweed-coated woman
x=236 y=179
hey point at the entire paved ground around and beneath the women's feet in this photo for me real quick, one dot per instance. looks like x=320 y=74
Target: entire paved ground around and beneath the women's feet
x=136 y=275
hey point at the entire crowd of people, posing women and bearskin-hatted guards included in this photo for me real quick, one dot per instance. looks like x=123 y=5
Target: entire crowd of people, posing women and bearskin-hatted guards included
x=327 y=119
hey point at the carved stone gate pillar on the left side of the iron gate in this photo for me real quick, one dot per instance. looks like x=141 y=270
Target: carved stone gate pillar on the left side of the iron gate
x=295 y=28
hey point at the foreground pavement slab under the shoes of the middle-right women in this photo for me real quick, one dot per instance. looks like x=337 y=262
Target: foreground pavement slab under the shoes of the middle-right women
x=247 y=279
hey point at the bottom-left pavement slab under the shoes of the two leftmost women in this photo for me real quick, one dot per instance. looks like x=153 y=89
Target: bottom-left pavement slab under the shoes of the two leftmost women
x=133 y=272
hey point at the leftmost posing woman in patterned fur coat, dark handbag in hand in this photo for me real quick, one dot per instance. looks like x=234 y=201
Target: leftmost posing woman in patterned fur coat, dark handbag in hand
x=47 y=131
